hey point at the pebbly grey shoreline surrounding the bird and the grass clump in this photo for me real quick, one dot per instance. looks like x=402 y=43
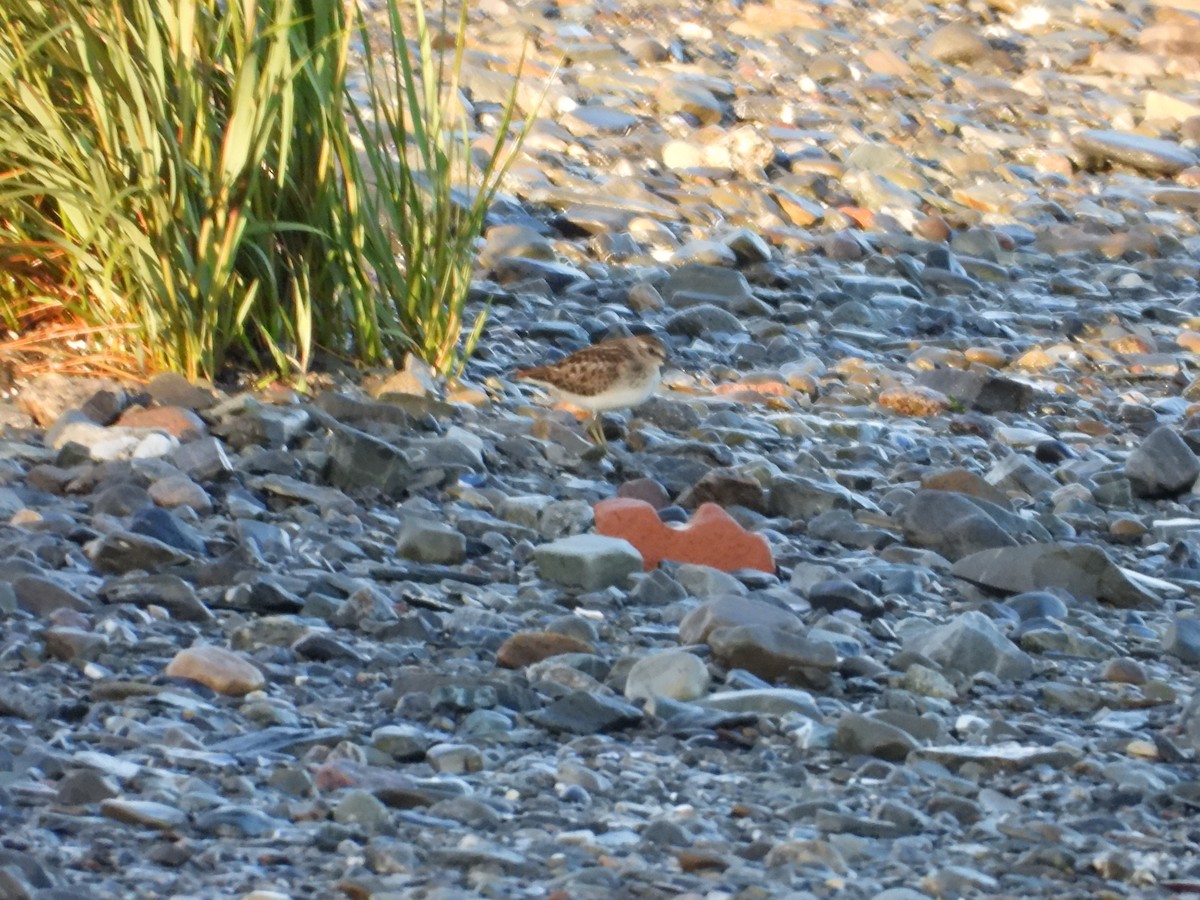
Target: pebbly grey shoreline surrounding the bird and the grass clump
x=929 y=281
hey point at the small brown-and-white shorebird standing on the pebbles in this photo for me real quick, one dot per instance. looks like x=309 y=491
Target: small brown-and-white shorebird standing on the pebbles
x=611 y=375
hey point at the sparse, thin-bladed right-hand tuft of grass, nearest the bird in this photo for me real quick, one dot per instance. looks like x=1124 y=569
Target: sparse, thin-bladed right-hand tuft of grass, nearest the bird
x=431 y=196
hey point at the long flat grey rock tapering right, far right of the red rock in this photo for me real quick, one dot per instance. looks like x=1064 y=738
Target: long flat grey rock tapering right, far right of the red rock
x=1079 y=569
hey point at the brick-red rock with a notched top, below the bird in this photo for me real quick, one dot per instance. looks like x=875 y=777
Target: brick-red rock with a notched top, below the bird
x=712 y=537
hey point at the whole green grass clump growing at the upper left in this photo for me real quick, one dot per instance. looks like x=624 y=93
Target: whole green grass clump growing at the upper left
x=183 y=177
